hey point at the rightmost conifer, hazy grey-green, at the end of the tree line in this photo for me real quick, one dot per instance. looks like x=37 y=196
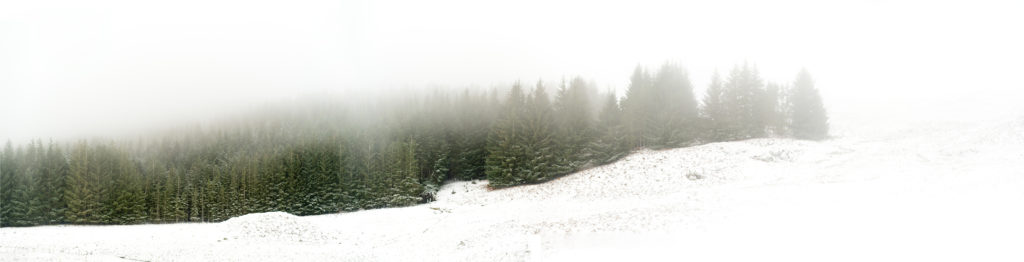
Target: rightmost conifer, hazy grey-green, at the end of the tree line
x=809 y=121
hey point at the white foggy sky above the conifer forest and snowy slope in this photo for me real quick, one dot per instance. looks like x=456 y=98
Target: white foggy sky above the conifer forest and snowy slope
x=74 y=69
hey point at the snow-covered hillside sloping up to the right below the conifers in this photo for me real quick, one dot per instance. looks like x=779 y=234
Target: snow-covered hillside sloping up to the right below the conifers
x=951 y=191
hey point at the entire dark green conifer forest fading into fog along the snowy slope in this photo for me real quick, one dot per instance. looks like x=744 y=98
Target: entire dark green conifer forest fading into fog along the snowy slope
x=322 y=157
